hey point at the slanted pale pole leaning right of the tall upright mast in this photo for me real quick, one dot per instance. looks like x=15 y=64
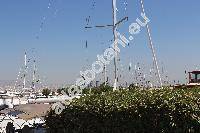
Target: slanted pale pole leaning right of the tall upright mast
x=151 y=45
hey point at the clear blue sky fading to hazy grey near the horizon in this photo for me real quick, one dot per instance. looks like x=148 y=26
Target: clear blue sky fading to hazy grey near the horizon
x=53 y=32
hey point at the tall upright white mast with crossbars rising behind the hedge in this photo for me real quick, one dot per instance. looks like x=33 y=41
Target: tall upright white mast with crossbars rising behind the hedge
x=114 y=9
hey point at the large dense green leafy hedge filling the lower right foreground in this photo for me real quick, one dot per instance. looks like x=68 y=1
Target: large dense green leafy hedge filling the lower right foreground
x=134 y=111
